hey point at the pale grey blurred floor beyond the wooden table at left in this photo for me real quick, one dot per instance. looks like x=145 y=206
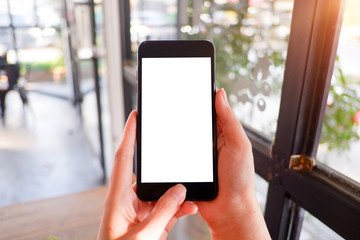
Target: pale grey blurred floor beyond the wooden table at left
x=44 y=151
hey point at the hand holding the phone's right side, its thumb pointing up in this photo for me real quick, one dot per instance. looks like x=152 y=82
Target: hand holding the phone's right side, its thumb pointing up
x=234 y=213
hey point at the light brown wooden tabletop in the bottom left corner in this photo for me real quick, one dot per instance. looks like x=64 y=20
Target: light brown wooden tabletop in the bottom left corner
x=75 y=216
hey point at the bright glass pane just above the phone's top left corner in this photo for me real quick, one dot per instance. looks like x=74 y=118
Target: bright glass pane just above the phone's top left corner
x=152 y=20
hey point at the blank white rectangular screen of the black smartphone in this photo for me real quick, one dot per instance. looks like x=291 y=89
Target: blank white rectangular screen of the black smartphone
x=176 y=120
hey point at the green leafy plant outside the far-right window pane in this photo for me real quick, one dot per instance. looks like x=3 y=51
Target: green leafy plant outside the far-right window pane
x=341 y=121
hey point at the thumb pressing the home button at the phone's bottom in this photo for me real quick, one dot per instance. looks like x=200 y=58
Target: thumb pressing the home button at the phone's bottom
x=164 y=210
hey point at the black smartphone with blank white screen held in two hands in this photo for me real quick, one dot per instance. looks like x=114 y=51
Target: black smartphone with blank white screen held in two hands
x=176 y=123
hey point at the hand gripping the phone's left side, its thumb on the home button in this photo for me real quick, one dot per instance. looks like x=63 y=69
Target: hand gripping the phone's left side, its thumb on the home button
x=127 y=217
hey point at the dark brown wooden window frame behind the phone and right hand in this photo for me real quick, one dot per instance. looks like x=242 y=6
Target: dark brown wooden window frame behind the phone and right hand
x=312 y=48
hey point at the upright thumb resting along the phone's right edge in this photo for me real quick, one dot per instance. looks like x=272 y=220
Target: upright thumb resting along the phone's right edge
x=230 y=125
